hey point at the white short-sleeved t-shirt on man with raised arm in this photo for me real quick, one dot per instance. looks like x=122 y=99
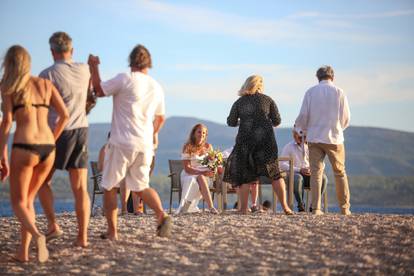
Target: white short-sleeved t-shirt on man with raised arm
x=137 y=98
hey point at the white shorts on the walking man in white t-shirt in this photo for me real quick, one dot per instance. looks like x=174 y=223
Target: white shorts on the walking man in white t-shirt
x=120 y=164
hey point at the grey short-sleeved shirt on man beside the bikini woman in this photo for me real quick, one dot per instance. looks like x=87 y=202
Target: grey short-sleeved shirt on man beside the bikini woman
x=72 y=81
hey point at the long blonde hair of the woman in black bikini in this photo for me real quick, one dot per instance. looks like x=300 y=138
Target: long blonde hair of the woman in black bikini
x=15 y=80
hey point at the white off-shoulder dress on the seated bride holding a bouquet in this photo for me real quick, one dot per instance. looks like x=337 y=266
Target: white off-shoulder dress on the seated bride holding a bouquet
x=190 y=188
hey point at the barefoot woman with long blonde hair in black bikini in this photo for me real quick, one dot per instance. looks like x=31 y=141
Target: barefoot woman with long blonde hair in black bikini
x=26 y=99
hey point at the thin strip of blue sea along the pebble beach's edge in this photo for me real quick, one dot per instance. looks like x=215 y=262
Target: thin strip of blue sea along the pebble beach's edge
x=68 y=206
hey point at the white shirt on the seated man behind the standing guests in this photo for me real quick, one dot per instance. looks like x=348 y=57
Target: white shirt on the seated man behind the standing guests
x=299 y=154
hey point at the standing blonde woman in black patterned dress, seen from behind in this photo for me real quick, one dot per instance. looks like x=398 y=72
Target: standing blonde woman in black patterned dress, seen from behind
x=255 y=153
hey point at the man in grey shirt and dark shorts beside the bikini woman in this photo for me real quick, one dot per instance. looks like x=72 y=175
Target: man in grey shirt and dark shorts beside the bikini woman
x=72 y=80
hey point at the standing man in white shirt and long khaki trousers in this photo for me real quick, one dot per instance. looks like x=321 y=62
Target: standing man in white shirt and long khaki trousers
x=324 y=116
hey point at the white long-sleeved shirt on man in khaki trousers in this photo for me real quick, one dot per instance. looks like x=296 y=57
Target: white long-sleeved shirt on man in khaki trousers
x=324 y=114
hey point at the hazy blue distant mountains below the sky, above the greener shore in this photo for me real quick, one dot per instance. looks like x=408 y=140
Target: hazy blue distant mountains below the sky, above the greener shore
x=370 y=151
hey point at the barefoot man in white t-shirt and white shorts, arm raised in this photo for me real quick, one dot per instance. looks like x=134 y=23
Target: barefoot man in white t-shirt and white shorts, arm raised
x=137 y=117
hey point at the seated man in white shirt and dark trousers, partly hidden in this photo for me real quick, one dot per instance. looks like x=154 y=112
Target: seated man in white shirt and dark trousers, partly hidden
x=299 y=151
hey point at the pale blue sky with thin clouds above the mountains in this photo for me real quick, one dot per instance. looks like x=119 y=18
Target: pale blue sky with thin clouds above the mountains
x=204 y=50
